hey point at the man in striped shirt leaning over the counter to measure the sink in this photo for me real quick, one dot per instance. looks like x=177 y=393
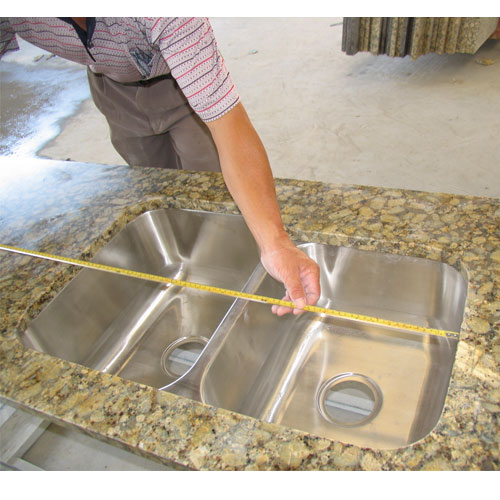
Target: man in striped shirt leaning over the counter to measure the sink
x=168 y=97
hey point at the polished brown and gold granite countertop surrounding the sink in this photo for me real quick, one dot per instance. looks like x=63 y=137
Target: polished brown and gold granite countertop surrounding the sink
x=73 y=209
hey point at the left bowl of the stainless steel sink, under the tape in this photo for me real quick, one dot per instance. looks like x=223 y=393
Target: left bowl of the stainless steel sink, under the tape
x=123 y=325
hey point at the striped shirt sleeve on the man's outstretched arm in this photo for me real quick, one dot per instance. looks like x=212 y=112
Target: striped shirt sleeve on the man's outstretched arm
x=190 y=50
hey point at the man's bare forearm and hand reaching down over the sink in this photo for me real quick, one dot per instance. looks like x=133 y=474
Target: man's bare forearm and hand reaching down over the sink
x=248 y=176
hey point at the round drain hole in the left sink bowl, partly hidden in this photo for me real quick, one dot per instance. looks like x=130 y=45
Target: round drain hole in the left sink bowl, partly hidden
x=181 y=355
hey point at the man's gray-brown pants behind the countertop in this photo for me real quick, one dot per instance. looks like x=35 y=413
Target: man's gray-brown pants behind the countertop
x=152 y=124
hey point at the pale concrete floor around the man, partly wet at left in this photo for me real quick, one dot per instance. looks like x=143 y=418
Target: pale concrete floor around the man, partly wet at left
x=429 y=124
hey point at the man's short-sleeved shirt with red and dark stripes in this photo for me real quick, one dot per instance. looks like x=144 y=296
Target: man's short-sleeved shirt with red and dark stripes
x=131 y=49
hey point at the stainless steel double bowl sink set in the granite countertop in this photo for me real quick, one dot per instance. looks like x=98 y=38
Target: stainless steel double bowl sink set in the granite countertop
x=358 y=382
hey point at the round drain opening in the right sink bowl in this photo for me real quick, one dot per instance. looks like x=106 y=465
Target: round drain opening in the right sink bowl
x=349 y=399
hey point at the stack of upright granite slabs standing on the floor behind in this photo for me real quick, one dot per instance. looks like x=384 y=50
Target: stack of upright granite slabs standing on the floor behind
x=416 y=36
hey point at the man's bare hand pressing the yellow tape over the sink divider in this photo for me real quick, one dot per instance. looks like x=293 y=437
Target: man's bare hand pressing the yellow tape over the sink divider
x=297 y=272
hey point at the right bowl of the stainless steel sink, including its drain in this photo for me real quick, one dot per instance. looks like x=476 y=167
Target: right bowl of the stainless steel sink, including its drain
x=360 y=383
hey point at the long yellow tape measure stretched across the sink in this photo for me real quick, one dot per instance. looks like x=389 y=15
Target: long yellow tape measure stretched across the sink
x=230 y=293
